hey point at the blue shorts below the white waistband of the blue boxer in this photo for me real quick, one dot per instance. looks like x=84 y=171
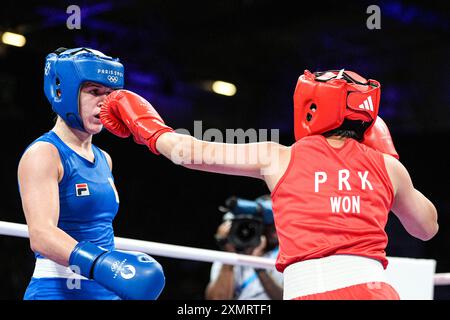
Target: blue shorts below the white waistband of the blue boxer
x=57 y=289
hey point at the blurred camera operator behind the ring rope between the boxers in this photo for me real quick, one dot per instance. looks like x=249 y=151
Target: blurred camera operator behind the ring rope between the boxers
x=248 y=228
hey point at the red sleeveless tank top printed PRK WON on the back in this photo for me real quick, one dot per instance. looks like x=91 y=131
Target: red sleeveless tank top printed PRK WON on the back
x=332 y=201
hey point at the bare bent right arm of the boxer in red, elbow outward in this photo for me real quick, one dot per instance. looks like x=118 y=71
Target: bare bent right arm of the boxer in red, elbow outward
x=417 y=214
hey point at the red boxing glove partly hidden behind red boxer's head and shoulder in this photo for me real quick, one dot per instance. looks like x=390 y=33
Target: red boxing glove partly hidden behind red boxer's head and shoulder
x=379 y=138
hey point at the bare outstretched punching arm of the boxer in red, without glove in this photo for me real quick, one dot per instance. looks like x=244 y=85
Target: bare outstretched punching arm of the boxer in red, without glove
x=258 y=160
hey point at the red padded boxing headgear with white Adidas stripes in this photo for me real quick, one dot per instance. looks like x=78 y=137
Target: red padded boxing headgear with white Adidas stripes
x=322 y=100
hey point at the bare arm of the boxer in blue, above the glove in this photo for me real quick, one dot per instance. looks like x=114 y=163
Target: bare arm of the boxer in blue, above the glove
x=38 y=182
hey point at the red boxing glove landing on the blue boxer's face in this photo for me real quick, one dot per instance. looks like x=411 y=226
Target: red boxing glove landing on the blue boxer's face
x=124 y=110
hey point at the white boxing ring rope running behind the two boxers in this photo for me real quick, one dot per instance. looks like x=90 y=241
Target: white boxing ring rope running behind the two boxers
x=182 y=252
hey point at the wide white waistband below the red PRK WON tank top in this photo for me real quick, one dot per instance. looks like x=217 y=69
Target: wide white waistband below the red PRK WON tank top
x=330 y=273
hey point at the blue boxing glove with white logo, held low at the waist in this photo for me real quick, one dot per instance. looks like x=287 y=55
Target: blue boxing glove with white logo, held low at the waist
x=131 y=275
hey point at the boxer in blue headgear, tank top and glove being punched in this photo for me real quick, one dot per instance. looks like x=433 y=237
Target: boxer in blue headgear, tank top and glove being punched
x=68 y=193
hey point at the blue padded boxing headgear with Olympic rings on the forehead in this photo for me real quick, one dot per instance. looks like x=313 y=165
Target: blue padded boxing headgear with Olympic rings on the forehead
x=65 y=72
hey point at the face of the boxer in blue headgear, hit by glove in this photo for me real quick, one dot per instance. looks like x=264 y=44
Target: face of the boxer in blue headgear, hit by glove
x=91 y=96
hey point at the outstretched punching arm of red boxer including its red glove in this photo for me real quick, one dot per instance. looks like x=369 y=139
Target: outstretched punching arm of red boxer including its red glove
x=124 y=111
